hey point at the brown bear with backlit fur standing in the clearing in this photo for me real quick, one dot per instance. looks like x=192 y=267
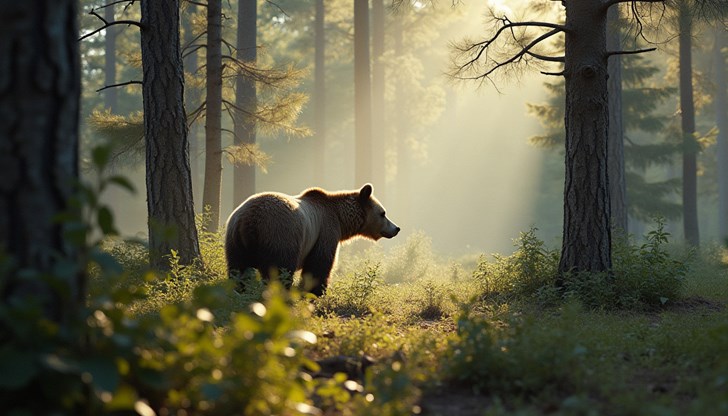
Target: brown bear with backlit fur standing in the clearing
x=273 y=231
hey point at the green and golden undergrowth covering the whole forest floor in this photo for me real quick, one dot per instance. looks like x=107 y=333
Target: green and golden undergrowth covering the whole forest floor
x=400 y=331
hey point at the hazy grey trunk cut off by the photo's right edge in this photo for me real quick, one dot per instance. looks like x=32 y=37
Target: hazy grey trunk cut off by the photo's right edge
x=721 y=120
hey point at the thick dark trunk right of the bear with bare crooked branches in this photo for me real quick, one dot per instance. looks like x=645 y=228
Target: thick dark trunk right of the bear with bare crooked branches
x=587 y=236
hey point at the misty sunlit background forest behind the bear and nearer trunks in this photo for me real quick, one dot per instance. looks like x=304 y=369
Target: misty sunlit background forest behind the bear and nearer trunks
x=479 y=138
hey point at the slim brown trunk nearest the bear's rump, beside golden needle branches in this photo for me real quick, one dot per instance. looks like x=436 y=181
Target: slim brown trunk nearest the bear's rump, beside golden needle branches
x=213 y=116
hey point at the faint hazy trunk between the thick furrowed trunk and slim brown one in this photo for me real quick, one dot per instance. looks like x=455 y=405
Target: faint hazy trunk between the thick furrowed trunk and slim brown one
x=192 y=101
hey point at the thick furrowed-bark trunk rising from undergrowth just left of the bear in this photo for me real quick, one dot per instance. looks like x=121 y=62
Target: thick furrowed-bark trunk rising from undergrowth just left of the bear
x=169 y=186
